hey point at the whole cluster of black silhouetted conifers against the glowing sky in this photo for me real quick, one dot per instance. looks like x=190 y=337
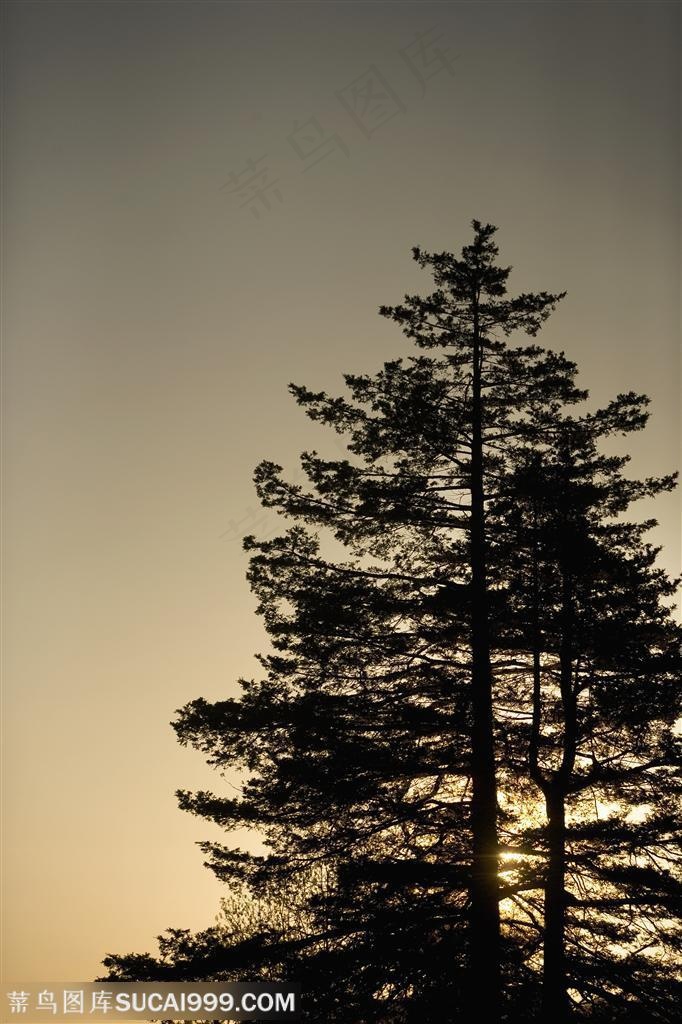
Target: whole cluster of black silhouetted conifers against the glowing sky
x=461 y=752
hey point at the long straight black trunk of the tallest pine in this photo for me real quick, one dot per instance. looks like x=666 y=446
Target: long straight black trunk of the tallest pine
x=485 y=913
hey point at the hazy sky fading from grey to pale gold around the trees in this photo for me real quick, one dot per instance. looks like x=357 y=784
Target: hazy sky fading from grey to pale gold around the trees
x=160 y=293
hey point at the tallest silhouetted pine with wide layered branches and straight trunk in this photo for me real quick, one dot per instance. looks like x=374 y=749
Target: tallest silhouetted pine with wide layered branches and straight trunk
x=374 y=745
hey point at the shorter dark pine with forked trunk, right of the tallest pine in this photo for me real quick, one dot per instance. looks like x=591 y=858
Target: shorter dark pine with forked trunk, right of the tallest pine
x=591 y=609
